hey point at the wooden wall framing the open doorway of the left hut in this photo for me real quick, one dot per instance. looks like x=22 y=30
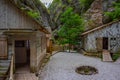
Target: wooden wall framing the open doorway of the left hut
x=33 y=53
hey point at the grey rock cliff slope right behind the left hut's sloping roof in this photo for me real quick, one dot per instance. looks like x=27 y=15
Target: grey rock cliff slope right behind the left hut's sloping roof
x=36 y=6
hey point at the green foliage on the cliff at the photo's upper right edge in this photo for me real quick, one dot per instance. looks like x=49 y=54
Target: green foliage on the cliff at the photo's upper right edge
x=114 y=14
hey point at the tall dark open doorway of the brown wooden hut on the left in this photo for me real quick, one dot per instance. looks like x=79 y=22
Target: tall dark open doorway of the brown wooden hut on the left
x=22 y=53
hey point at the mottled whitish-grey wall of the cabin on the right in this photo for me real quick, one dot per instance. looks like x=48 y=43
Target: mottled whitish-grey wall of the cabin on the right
x=112 y=31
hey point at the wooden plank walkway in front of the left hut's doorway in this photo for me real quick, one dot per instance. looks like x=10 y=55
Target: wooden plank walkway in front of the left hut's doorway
x=23 y=73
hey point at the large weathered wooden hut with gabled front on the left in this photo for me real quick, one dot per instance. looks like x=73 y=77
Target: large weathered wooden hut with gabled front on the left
x=21 y=36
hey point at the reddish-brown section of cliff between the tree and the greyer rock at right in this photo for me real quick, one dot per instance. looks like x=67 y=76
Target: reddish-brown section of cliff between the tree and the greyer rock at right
x=94 y=15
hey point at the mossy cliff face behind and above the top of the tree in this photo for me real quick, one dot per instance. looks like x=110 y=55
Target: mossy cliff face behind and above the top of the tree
x=59 y=6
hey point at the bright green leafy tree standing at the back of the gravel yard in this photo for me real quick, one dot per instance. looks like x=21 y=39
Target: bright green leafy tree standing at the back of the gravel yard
x=71 y=27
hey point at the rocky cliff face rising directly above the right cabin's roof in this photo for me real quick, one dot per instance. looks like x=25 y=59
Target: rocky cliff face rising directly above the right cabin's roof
x=95 y=15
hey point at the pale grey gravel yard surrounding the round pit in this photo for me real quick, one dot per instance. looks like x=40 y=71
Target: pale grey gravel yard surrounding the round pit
x=62 y=67
